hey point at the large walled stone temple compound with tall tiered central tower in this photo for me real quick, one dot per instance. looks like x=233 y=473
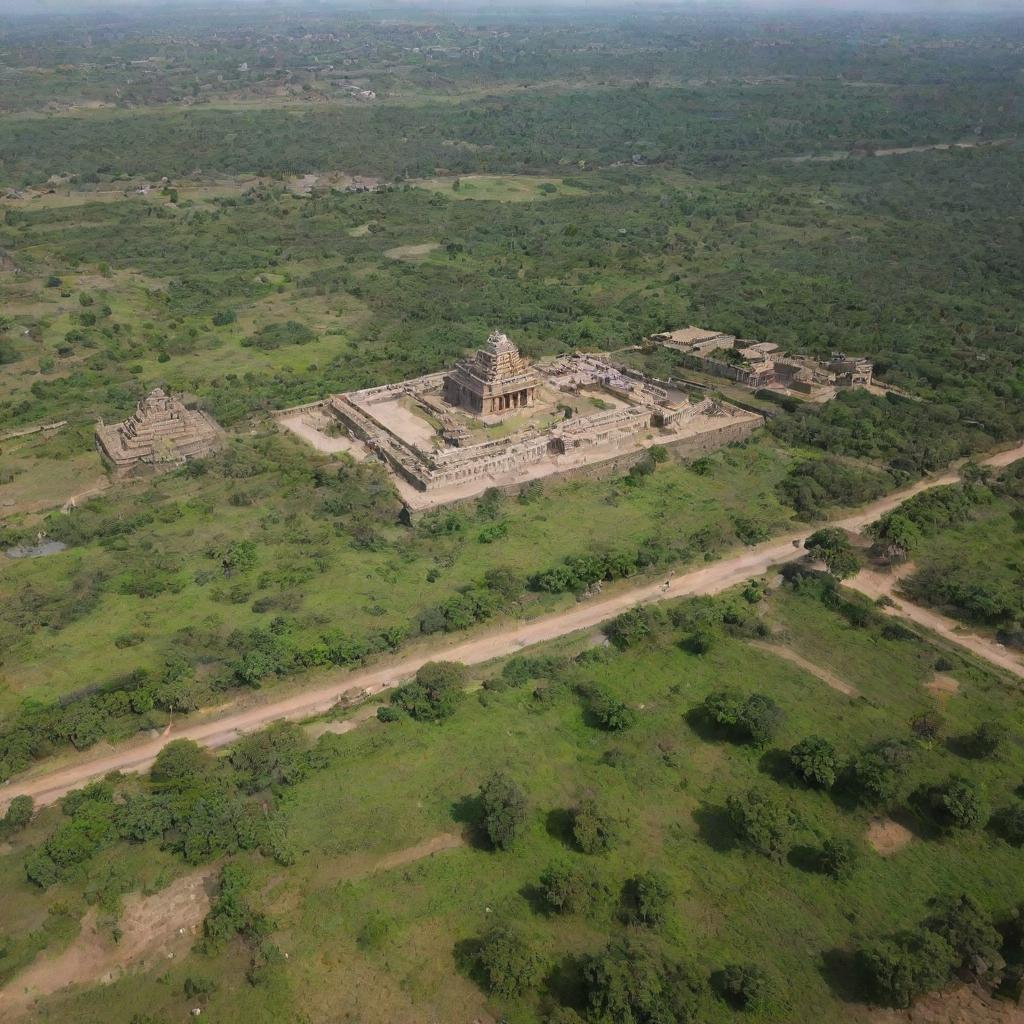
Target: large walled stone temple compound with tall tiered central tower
x=442 y=437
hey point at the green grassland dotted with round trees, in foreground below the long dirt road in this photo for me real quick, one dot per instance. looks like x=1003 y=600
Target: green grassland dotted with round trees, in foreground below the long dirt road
x=385 y=947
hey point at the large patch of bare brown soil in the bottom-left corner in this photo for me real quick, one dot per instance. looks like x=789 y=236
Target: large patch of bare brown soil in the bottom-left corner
x=154 y=929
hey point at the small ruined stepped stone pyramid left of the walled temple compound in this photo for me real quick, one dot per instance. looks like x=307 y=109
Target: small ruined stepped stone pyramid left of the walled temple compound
x=160 y=433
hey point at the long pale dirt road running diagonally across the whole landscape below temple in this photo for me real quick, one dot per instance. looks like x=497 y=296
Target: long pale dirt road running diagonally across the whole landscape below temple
x=48 y=787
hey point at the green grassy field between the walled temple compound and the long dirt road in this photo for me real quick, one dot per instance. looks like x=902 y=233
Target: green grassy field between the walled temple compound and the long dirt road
x=310 y=560
